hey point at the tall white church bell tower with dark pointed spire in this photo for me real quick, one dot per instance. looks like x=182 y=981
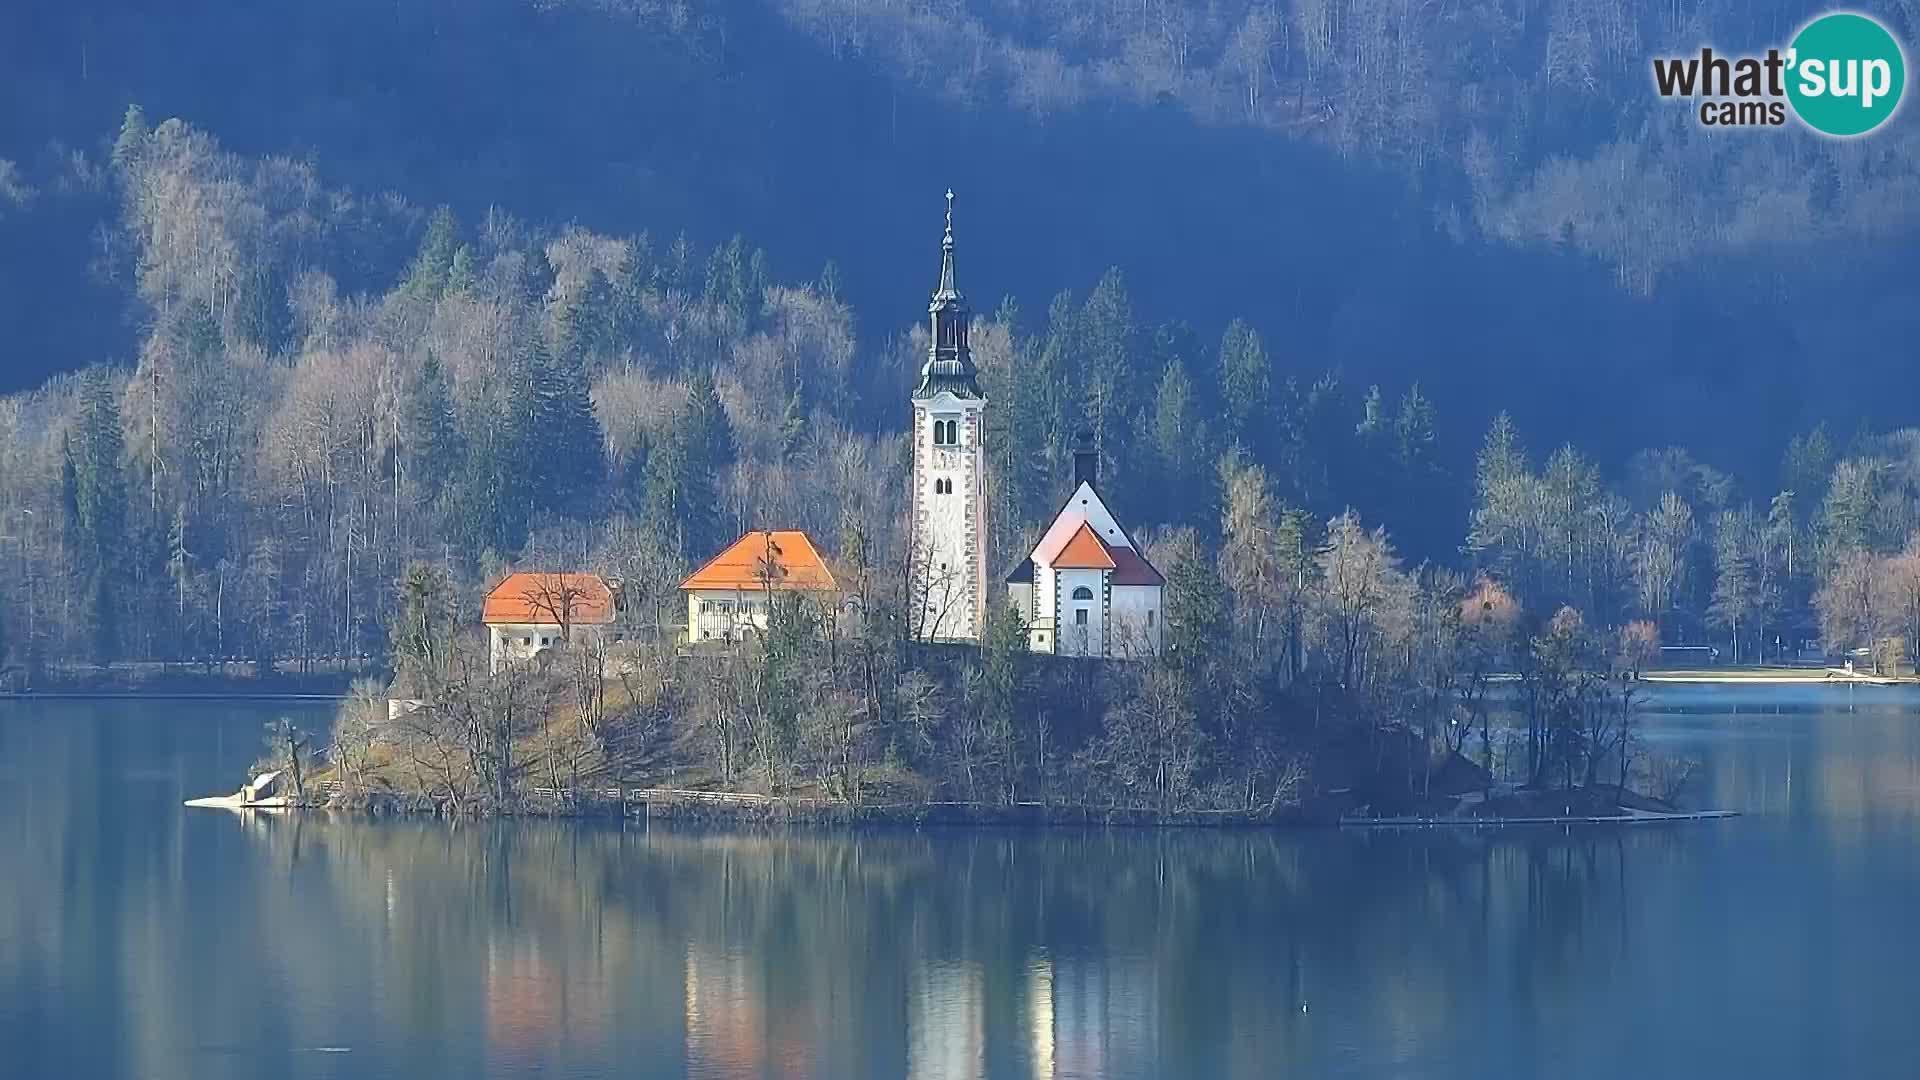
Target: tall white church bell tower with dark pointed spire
x=949 y=514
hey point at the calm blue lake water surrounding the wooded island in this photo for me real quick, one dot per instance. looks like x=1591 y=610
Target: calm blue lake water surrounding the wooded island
x=145 y=941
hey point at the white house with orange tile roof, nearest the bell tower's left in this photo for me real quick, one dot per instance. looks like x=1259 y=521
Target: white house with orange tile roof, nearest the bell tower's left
x=734 y=591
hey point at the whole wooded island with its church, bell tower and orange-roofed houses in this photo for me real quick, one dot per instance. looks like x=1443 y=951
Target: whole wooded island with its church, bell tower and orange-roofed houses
x=1284 y=674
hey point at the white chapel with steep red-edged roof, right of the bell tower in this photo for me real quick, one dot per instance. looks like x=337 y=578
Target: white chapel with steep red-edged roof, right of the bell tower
x=1088 y=589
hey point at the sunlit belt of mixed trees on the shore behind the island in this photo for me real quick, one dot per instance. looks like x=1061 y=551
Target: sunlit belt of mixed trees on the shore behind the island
x=329 y=387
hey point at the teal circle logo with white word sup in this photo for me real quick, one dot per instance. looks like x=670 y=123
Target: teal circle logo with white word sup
x=1846 y=74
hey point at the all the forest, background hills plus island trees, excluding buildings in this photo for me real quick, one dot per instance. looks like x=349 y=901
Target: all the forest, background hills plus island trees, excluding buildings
x=1420 y=343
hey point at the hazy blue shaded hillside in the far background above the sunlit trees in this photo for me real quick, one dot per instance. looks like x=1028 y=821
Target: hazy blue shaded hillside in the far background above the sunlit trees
x=1483 y=199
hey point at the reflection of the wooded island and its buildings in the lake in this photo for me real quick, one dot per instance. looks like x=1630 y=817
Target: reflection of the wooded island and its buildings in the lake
x=949 y=954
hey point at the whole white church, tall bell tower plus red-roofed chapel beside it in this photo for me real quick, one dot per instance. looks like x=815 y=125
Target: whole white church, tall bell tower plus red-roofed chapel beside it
x=1084 y=591
